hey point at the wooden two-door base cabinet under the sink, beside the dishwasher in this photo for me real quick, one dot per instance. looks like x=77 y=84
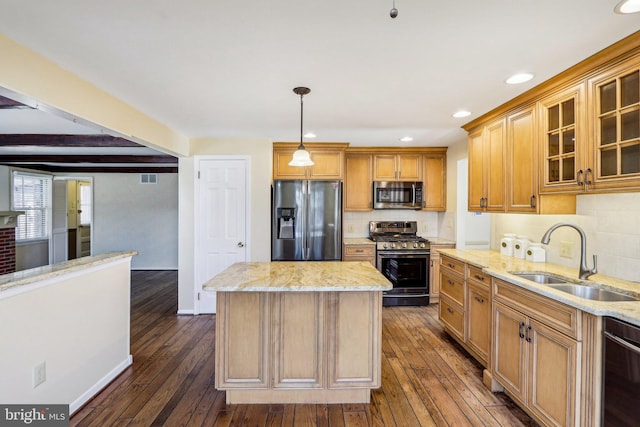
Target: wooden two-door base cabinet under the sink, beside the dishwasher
x=536 y=363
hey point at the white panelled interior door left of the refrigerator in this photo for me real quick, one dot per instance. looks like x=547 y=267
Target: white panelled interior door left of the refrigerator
x=221 y=221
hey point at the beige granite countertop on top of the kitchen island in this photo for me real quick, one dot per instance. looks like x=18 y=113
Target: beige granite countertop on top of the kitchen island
x=298 y=276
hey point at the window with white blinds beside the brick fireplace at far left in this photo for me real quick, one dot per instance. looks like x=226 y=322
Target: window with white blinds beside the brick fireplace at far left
x=32 y=194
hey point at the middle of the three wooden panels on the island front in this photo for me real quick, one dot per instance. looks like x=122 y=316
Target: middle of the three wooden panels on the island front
x=298 y=337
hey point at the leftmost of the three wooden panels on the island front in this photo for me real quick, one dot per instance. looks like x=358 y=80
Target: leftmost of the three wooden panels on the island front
x=242 y=340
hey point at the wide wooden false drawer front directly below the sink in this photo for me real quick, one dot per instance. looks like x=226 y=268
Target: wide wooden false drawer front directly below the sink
x=554 y=314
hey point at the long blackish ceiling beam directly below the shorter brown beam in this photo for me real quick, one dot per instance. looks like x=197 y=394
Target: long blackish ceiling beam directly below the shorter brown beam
x=73 y=158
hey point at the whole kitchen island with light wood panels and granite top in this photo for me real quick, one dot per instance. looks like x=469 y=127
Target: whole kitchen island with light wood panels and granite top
x=298 y=332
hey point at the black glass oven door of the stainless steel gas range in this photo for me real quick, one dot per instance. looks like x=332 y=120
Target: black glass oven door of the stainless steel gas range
x=408 y=271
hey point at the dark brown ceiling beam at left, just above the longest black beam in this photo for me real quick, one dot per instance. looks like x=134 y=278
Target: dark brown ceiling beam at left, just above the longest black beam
x=48 y=140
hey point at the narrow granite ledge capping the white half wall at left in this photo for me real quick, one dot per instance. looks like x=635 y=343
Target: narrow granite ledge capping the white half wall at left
x=25 y=277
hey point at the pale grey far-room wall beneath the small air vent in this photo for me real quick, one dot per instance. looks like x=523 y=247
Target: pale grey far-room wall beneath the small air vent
x=128 y=215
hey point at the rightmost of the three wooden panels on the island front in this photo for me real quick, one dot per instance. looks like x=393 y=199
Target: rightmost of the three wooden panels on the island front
x=354 y=338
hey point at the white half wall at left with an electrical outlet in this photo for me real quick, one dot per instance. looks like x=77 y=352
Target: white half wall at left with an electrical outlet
x=77 y=324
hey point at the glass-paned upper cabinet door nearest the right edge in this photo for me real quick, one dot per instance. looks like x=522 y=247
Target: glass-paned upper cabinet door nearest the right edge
x=615 y=103
